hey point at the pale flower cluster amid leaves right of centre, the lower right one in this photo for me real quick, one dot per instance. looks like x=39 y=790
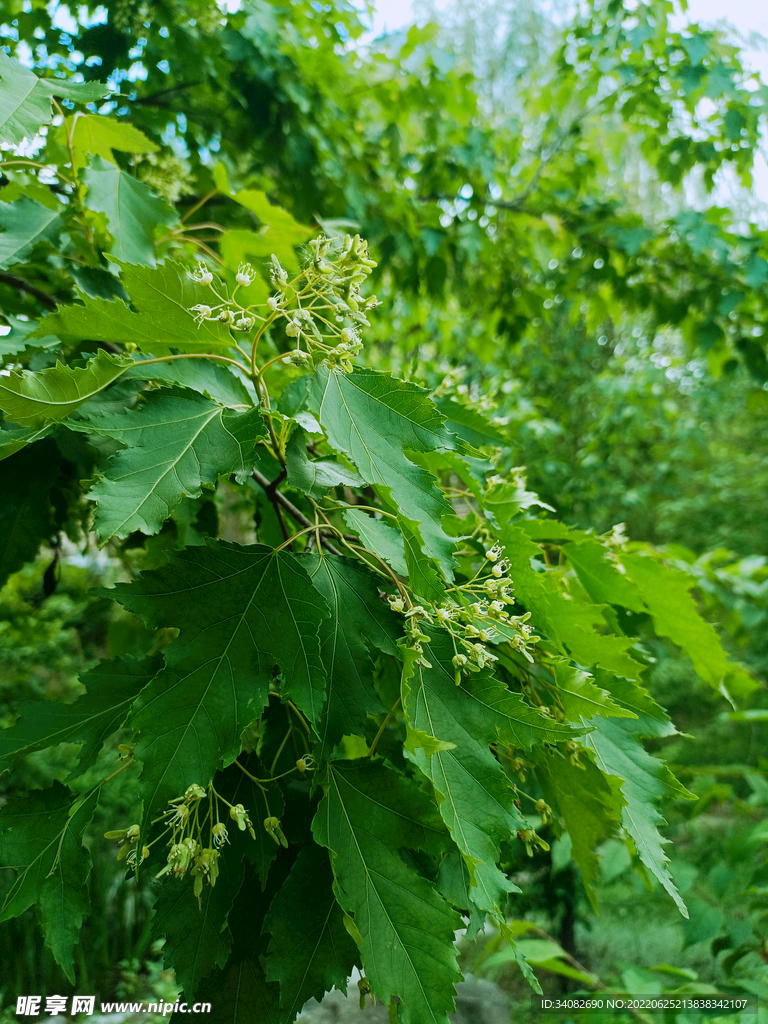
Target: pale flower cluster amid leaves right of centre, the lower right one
x=475 y=619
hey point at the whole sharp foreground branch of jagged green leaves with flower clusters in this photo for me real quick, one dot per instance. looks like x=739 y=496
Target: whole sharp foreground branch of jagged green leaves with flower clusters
x=403 y=645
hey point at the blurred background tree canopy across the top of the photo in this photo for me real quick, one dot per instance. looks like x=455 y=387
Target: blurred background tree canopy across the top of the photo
x=519 y=212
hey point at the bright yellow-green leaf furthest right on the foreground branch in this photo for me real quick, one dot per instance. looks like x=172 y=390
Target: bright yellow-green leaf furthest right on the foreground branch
x=675 y=616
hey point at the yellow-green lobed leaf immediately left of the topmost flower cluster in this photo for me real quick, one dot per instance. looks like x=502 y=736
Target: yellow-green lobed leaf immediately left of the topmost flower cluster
x=162 y=297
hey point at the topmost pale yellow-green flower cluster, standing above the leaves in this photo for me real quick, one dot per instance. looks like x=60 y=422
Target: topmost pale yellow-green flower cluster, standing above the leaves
x=322 y=309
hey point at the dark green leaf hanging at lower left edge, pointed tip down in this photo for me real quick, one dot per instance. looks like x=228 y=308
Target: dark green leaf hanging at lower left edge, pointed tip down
x=40 y=838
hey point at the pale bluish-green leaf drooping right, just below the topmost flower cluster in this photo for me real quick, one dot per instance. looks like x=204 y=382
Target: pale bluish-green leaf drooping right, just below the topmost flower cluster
x=375 y=419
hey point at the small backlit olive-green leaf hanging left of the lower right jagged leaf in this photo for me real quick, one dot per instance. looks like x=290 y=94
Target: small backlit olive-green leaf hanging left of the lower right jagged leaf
x=589 y=802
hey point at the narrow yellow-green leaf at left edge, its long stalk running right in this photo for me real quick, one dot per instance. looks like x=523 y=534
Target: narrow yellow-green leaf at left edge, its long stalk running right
x=34 y=399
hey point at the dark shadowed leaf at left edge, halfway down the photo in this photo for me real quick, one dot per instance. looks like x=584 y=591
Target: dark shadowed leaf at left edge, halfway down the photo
x=26 y=514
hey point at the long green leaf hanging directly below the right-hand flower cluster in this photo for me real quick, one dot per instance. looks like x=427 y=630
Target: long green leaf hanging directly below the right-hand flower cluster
x=476 y=798
